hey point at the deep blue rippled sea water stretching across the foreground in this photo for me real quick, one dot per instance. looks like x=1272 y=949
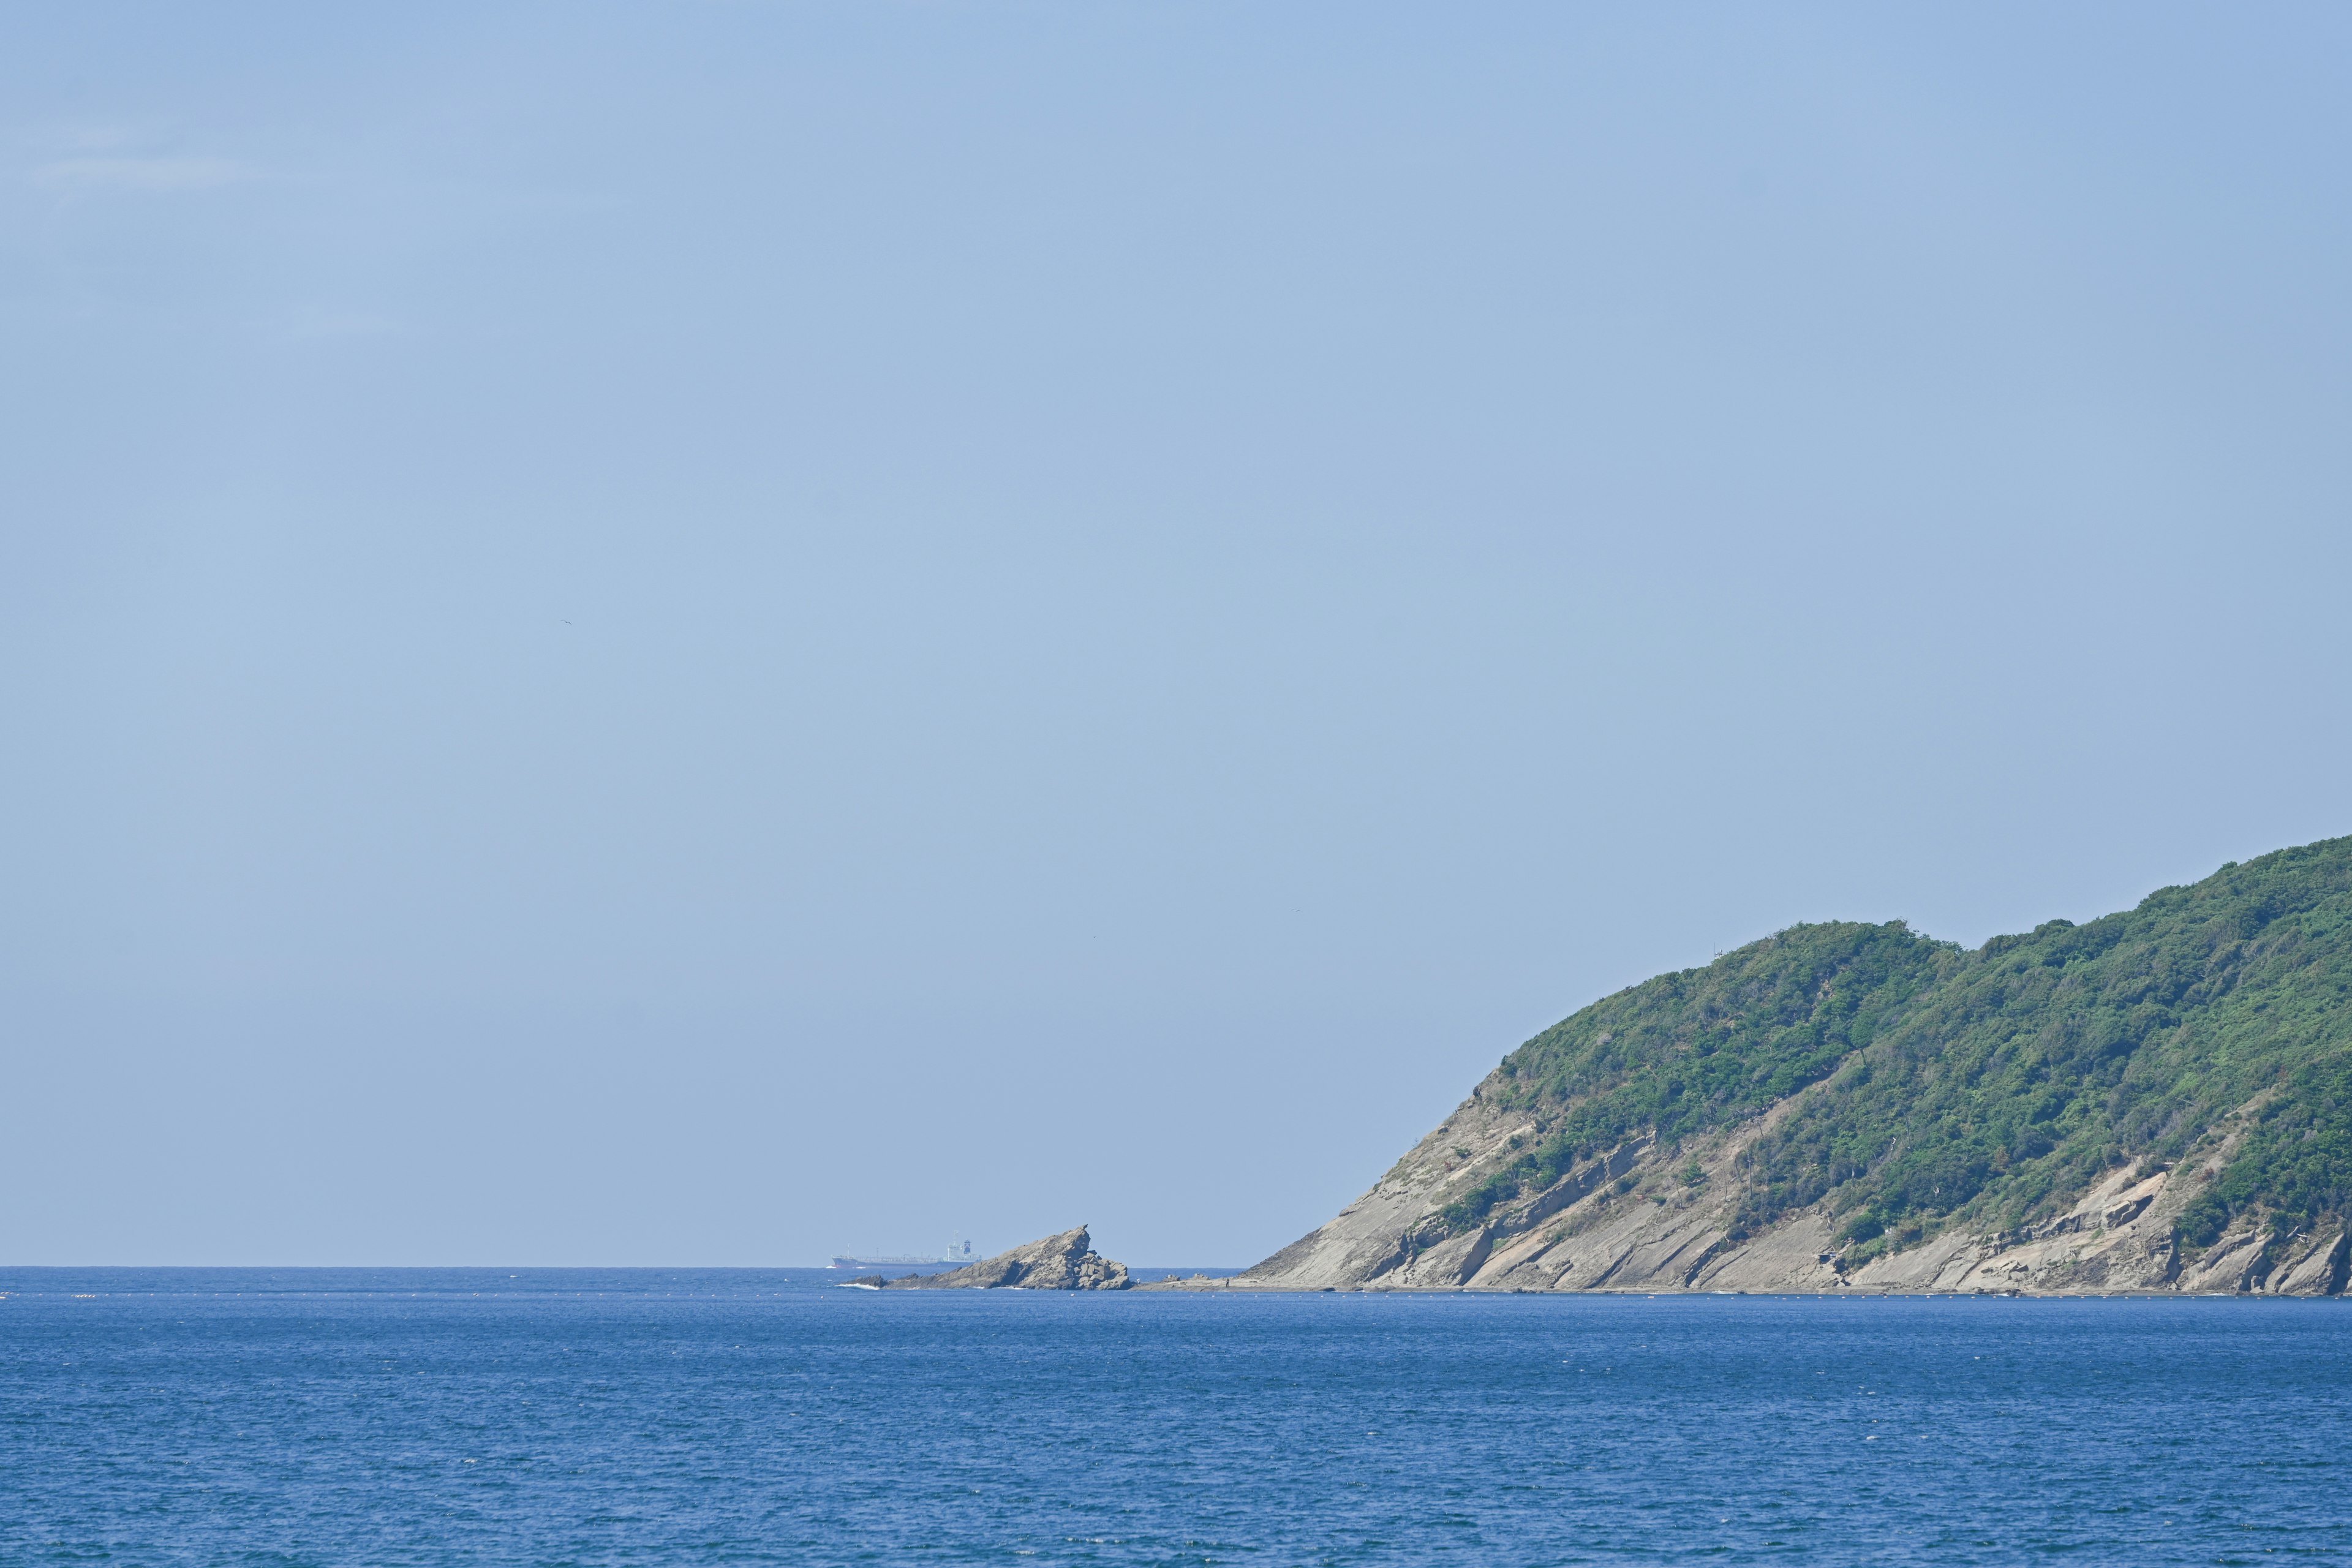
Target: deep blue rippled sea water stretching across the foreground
x=559 y=1416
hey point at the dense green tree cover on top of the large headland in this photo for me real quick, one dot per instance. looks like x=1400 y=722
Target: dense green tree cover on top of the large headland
x=1986 y=1085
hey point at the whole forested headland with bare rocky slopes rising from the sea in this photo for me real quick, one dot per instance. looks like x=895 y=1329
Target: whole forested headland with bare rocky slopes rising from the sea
x=2153 y=1101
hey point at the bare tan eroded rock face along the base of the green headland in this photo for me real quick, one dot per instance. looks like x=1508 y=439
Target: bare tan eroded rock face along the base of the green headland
x=1645 y=1219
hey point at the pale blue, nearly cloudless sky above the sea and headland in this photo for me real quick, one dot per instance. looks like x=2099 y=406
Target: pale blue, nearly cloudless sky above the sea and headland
x=709 y=634
